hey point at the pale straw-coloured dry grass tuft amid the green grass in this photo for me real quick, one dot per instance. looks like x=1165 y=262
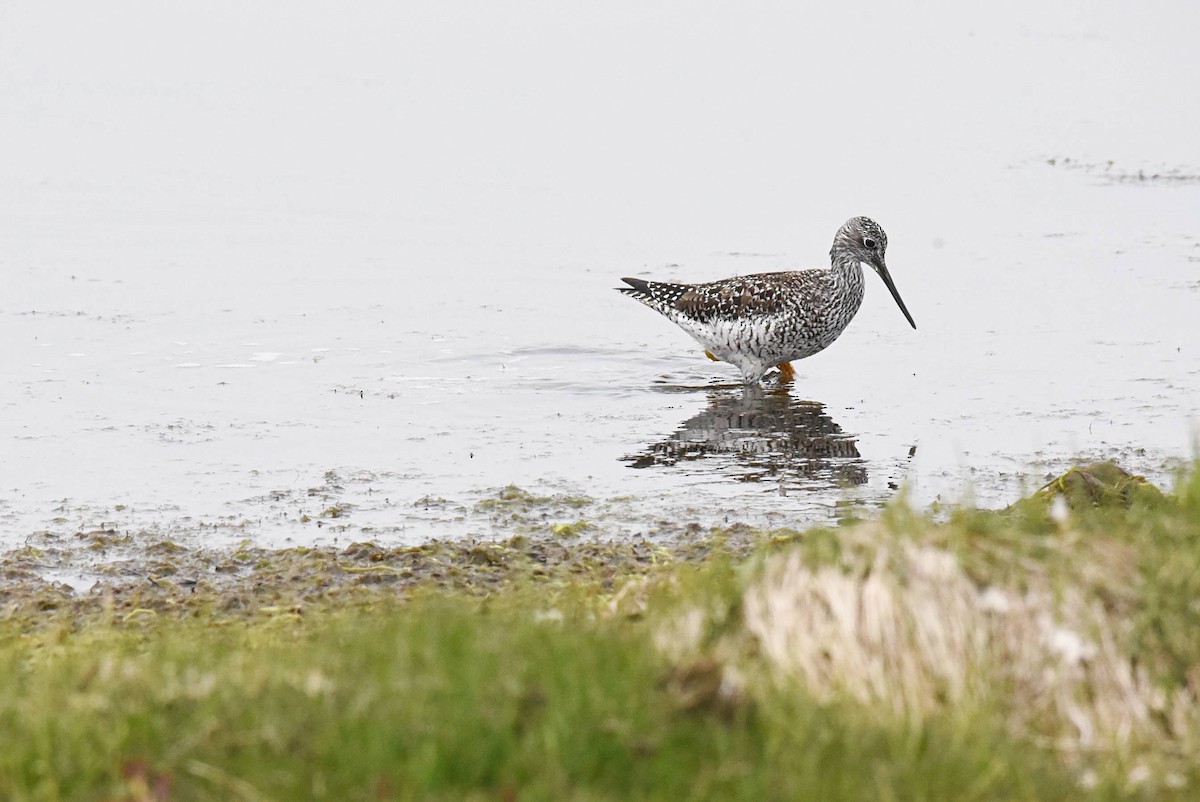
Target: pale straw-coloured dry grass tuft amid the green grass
x=904 y=630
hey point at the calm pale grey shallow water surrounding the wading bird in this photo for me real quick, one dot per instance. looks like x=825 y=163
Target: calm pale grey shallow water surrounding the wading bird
x=355 y=291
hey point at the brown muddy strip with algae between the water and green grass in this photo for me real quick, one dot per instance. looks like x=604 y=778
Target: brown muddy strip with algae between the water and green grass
x=159 y=578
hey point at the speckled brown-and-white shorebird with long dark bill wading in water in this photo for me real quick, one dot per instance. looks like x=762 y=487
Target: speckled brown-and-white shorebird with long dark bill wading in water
x=767 y=320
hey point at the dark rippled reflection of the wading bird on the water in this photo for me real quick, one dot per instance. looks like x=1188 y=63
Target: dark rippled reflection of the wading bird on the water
x=763 y=435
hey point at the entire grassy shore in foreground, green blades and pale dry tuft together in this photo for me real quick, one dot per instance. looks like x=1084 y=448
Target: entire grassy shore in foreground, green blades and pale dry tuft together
x=1051 y=651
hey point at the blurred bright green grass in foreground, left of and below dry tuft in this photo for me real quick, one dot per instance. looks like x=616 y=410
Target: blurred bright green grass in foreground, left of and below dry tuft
x=447 y=698
